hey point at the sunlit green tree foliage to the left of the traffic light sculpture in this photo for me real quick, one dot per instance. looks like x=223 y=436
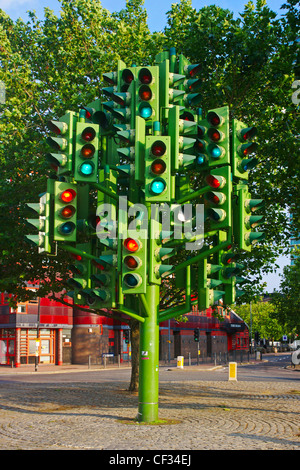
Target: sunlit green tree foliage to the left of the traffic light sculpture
x=49 y=66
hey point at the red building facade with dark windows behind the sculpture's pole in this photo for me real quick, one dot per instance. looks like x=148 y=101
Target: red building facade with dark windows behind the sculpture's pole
x=58 y=334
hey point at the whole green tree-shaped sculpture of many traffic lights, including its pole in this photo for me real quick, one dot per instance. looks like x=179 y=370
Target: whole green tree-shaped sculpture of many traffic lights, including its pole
x=122 y=167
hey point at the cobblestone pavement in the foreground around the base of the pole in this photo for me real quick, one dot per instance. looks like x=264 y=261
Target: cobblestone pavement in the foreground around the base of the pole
x=209 y=415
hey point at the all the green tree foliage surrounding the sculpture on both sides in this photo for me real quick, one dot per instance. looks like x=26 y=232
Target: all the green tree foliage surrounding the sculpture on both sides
x=53 y=64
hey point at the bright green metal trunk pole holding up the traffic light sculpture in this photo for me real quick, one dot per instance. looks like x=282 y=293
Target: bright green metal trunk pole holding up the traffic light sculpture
x=149 y=359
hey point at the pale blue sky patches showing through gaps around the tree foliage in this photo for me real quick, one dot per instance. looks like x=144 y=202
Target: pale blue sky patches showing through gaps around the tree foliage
x=157 y=19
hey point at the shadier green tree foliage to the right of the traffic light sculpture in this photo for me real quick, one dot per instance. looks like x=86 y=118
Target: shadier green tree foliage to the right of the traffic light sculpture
x=247 y=63
